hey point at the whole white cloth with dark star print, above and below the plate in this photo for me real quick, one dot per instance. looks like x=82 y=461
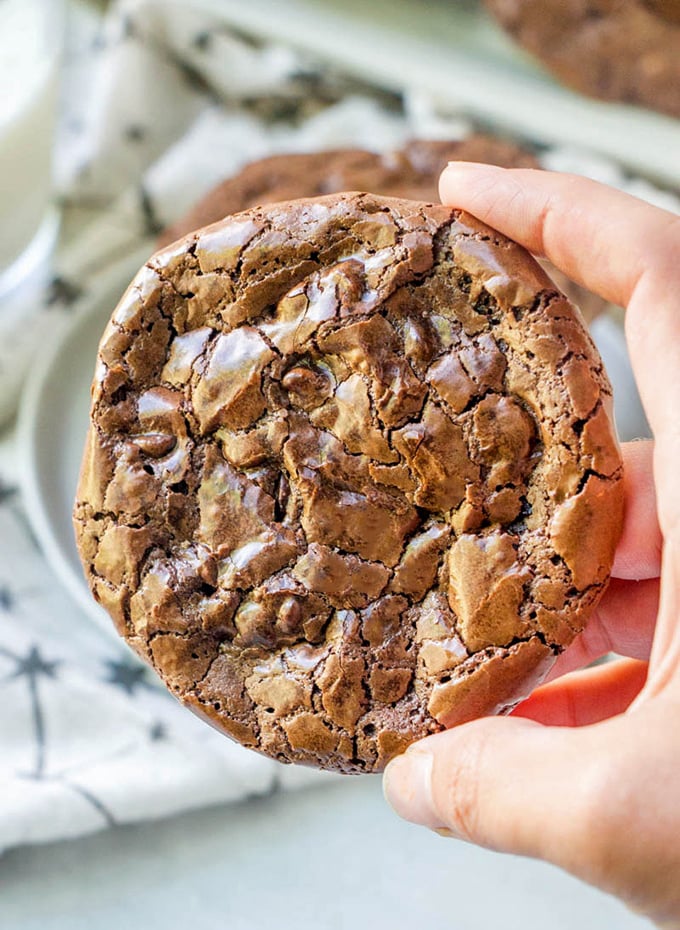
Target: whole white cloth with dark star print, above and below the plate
x=161 y=102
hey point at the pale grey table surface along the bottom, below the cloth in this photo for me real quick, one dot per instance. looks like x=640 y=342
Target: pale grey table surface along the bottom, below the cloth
x=331 y=857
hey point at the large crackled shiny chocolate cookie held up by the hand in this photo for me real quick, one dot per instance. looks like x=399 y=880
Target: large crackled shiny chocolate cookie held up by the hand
x=351 y=475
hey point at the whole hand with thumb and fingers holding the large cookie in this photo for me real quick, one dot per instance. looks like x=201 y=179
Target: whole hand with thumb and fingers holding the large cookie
x=586 y=773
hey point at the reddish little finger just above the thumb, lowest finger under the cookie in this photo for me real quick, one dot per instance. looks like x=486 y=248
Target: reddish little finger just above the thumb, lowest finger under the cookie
x=587 y=696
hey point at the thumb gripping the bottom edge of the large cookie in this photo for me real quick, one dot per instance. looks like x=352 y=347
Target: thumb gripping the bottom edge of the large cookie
x=506 y=783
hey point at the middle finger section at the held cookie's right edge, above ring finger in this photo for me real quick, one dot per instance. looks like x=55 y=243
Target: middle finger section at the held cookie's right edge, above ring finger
x=639 y=552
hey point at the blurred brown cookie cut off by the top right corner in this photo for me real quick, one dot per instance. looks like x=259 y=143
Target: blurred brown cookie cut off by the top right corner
x=625 y=50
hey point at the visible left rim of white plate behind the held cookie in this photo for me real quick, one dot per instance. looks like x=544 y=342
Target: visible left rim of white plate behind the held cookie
x=53 y=421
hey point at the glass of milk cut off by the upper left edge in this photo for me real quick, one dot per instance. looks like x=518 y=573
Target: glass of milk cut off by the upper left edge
x=30 y=40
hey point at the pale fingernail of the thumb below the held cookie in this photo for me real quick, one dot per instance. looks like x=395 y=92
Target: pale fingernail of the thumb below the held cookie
x=407 y=784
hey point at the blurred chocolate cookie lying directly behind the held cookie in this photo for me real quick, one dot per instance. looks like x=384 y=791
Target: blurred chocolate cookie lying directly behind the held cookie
x=411 y=172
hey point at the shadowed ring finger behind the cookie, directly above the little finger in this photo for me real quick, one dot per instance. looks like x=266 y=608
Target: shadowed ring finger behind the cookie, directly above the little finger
x=623 y=622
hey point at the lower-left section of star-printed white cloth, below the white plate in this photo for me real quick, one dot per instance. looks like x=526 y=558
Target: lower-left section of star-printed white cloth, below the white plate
x=88 y=737
